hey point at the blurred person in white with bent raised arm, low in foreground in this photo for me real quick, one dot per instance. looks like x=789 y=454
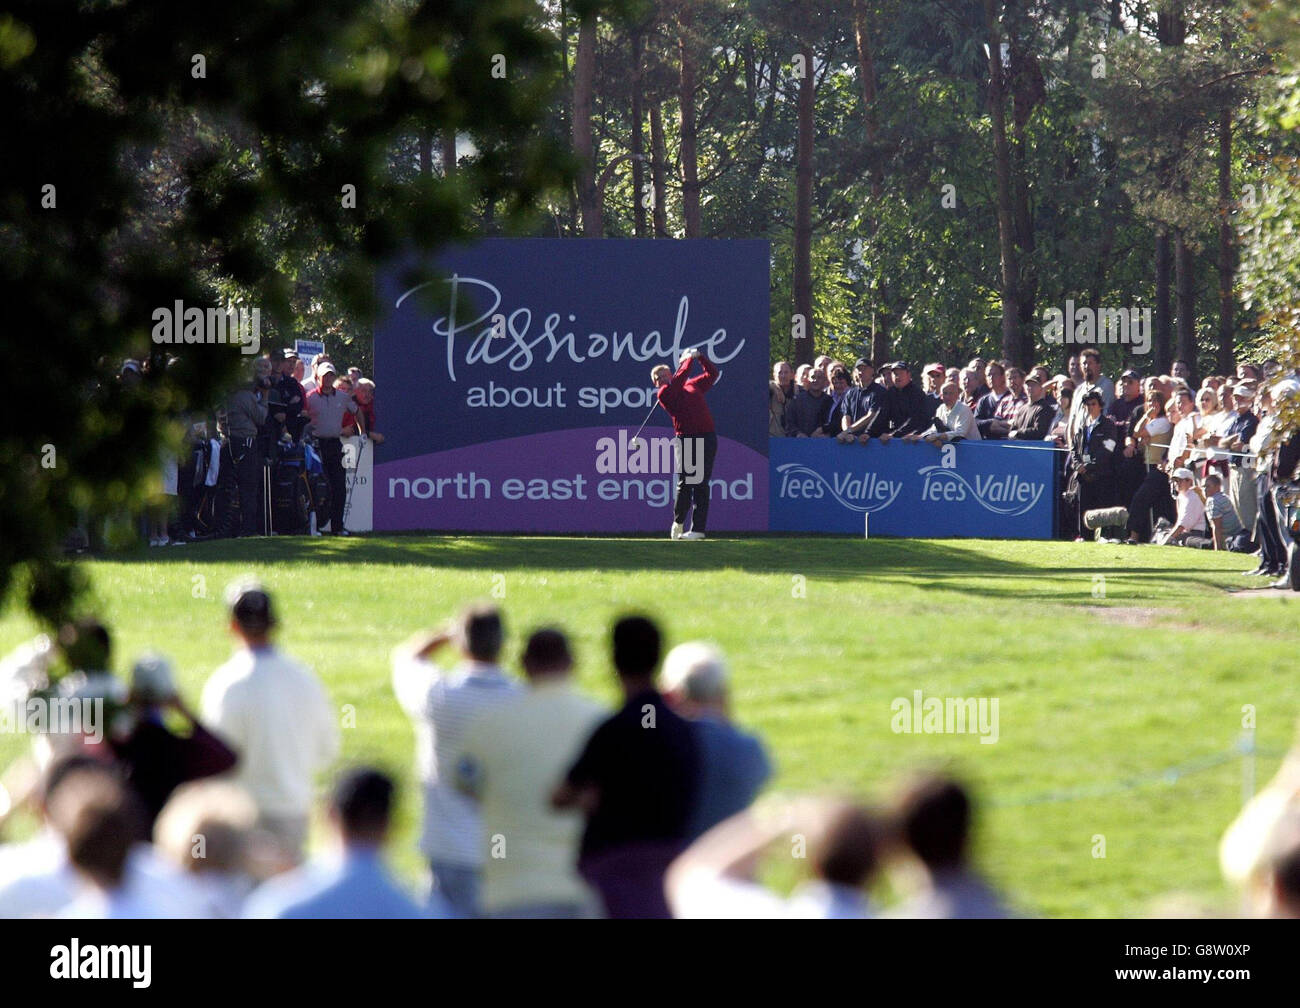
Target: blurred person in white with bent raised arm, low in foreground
x=716 y=879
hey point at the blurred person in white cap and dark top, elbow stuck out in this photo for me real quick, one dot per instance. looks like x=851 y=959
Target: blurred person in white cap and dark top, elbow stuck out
x=154 y=759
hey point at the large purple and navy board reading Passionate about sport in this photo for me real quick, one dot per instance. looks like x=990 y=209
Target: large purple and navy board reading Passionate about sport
x=496 y=401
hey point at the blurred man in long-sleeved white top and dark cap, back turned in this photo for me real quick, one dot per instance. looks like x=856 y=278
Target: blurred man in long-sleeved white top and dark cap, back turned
x=275 y=713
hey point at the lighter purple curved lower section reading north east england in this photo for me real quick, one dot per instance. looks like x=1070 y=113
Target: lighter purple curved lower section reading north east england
x=562 y=482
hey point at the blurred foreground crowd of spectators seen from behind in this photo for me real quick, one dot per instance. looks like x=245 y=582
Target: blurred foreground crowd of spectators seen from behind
x=538 y=802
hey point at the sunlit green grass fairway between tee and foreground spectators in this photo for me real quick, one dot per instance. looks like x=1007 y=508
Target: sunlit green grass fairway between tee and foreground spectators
x=1098 y=695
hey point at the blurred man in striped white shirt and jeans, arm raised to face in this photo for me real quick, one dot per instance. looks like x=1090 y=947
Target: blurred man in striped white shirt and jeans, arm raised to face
x=441 y=706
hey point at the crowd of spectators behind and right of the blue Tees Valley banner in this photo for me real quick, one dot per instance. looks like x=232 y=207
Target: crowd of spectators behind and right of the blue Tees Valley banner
x=1159 y=460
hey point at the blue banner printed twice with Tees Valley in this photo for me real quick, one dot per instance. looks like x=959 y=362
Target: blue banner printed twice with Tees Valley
x=980 y=490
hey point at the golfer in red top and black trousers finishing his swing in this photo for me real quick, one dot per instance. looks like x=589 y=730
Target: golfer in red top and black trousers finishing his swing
x=696 y=443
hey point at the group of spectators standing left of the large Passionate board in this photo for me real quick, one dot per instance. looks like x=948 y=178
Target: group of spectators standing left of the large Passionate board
x=237 y=473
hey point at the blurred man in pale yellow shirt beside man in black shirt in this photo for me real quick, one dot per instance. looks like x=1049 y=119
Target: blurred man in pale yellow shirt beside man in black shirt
x=513 y=758
